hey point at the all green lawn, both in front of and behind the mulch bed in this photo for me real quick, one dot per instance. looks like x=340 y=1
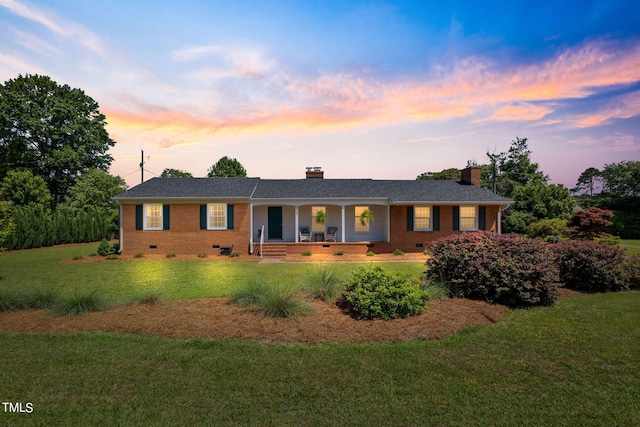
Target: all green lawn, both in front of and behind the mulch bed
x=577 y=363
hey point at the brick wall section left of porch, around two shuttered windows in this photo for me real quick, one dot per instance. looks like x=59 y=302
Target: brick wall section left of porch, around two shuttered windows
x=184 y=235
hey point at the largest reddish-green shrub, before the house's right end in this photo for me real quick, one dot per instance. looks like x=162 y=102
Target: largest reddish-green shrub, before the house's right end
x=503 y=269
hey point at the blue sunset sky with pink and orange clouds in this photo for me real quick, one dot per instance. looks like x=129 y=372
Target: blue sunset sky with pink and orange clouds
x=383 y=90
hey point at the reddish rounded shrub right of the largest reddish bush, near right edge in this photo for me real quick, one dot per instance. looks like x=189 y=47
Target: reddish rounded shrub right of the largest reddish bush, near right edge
x=590 y=266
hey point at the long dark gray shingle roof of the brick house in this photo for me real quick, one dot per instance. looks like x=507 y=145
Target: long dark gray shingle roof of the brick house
x=395 y=191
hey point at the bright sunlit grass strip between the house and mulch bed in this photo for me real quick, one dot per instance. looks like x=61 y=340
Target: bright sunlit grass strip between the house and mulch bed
x=121 y=281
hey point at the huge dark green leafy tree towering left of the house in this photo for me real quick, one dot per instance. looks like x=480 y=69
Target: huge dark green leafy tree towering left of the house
x=54 y=131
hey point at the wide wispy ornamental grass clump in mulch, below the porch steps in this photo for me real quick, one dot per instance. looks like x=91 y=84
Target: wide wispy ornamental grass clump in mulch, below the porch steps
x=270 y=299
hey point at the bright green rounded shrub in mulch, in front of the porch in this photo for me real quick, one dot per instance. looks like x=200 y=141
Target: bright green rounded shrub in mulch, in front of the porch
x=372 y=292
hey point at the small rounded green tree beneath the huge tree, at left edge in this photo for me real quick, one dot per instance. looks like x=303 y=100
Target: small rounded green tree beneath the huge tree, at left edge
x=21 y=188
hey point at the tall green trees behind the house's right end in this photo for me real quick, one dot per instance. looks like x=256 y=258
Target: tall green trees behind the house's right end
x=514 y=175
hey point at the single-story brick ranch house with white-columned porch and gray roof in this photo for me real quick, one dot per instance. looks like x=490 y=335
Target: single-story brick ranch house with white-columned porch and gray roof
x=203 y=215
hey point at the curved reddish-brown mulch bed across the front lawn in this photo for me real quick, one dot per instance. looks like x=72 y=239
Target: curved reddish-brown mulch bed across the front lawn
x=215 y=318
